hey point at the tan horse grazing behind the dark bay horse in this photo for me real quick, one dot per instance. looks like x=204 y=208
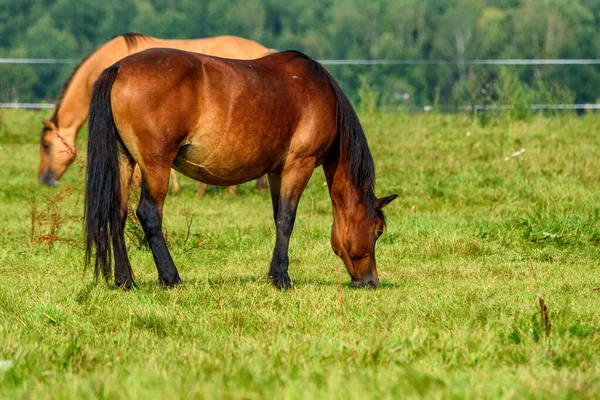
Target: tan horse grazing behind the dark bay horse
x=58 y=136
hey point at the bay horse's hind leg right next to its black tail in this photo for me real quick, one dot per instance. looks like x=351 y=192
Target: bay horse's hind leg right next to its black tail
x=123 y=275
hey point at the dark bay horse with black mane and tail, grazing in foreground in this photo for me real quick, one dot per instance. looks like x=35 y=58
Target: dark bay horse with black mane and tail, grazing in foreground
x=225 y=122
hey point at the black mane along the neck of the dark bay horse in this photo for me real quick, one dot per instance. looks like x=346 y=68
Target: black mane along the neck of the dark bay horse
x=353 y=143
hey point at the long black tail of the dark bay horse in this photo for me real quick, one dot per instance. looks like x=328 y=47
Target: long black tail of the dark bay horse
x=103 y=194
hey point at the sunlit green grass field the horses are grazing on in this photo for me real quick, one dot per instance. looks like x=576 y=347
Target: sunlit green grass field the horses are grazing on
x=481 y=231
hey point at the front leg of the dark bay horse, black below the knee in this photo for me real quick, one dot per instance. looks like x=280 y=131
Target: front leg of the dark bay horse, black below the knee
x=286 y=189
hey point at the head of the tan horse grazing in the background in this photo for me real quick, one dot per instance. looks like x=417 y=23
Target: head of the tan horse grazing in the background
x=56 y=154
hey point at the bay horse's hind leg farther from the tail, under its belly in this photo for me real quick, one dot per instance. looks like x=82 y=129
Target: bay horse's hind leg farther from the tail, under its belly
x=155 y=185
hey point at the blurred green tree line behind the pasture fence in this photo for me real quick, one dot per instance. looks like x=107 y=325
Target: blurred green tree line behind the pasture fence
x=450 y=30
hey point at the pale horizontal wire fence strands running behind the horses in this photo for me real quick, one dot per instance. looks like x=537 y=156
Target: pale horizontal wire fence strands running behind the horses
x=505 y=62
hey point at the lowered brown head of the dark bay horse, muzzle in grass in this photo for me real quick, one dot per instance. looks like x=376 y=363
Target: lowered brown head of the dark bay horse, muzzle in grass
x=353 y=239
